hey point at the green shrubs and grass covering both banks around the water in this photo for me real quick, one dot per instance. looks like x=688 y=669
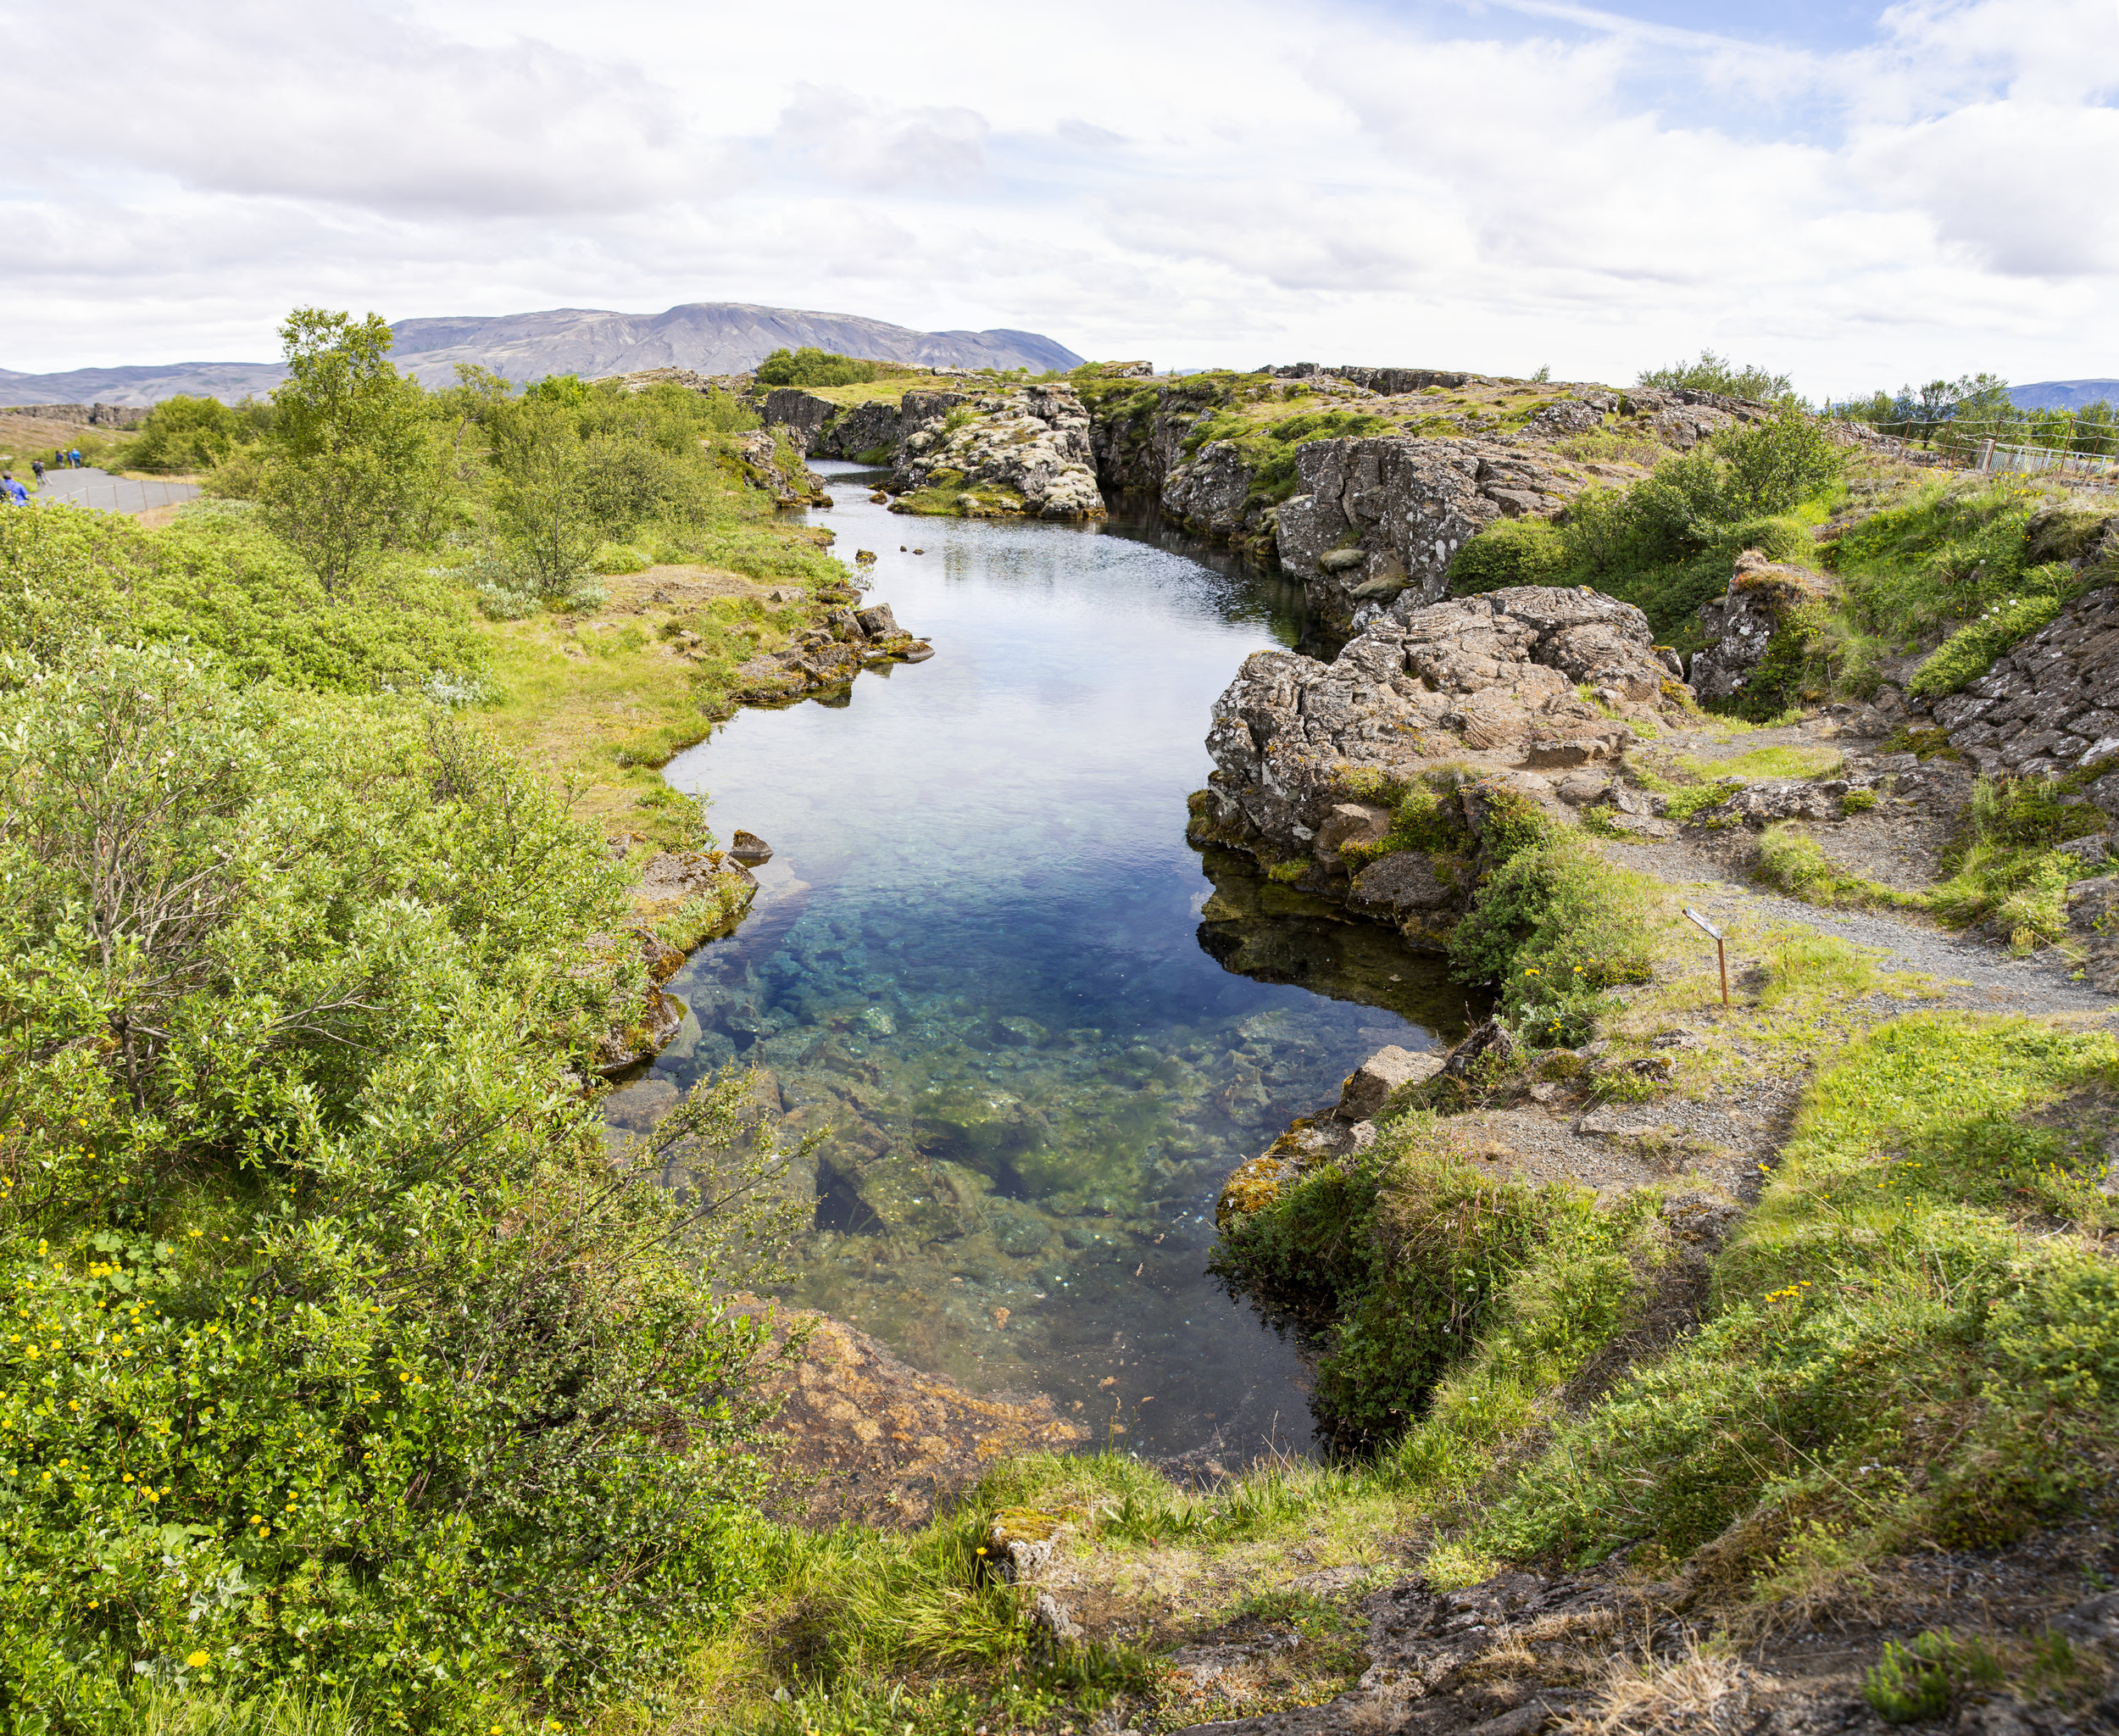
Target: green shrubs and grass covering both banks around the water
x=357 y=1381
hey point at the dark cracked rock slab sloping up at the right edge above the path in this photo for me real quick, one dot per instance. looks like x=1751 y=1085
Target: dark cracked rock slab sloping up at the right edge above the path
x=2050 y=705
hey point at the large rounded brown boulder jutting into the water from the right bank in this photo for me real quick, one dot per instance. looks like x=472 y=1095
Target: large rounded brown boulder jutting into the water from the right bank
x=1489 y=679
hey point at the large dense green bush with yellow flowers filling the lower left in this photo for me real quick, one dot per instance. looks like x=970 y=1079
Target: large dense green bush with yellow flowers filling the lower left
x=344 y=1353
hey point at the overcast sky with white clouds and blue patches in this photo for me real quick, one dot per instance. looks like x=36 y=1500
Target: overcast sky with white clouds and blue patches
x=1849 y=194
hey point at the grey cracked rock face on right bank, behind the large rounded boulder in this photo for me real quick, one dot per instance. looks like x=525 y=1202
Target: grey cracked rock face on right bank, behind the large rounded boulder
x=1381 y=518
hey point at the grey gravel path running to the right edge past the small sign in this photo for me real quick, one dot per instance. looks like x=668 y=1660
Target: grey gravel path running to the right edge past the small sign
x=1980 y=976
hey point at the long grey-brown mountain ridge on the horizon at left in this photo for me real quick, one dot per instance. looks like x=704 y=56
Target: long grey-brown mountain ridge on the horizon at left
x=707 y=336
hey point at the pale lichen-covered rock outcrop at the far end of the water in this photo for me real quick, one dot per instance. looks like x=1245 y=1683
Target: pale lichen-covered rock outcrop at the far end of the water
x=1022 y=453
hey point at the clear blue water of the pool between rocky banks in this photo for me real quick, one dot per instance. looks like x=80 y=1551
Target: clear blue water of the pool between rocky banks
x=980 y=963
